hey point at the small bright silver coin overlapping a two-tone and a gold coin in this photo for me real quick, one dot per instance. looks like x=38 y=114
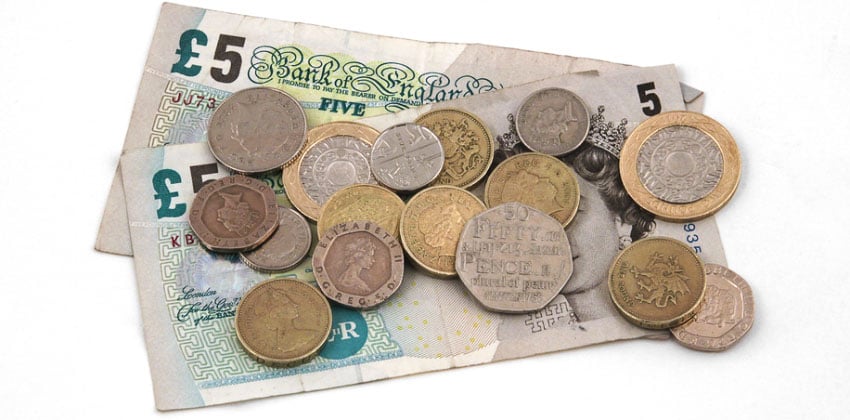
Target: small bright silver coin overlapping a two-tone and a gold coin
x=407 y=157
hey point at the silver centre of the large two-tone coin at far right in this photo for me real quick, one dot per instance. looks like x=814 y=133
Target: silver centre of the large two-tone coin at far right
x=679 y=164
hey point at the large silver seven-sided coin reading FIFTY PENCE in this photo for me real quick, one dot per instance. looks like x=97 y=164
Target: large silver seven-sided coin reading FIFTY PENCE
x=514 y=258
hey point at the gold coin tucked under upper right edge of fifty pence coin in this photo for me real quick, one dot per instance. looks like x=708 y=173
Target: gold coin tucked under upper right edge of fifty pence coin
x=537 y=180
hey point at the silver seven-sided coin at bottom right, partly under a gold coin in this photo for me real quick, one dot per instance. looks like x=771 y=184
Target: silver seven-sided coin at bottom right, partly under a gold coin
x=727 y=312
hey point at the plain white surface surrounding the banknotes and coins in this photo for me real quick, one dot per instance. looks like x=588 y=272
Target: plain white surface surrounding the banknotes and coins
x=776 y=75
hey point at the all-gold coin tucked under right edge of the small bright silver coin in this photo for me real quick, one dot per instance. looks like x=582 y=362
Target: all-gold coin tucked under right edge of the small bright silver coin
x=467 y=144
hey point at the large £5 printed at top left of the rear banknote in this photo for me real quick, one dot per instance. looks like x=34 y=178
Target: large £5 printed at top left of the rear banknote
x=223 y=52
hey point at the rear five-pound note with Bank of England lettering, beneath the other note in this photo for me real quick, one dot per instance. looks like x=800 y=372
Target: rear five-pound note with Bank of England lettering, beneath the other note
x=199 y=57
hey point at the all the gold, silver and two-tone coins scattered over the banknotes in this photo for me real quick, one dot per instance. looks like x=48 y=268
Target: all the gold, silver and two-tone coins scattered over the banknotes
x=379 y=198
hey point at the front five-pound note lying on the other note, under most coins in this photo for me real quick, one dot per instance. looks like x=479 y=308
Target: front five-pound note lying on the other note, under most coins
x=188 y=295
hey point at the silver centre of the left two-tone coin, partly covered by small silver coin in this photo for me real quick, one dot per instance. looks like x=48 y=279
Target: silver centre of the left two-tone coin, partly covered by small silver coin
x=334 y=163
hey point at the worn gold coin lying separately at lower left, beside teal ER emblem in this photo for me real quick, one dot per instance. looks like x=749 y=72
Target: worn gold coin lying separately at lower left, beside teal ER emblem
x=283 y=322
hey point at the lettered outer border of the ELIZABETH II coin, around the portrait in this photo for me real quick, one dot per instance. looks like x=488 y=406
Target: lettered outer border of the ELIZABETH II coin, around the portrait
x=330 y=283
